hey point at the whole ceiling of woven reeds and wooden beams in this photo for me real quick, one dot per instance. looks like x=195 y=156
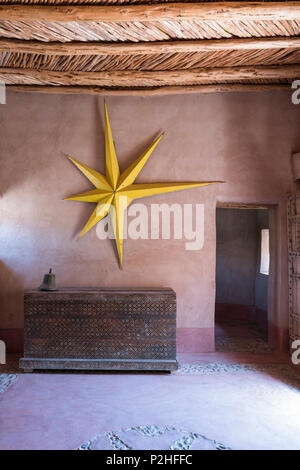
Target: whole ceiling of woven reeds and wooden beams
x=108 y=46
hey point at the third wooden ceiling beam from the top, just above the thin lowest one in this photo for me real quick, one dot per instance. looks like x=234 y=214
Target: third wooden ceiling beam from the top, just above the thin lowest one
x=125 y=78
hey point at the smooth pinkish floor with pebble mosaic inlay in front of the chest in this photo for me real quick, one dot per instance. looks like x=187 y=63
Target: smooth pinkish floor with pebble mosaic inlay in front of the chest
x=218 y=400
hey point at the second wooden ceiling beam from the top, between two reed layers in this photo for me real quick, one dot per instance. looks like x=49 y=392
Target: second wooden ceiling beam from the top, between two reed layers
x=144 y=48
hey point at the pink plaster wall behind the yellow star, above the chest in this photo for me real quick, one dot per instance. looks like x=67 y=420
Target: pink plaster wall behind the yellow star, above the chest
x=245 y=139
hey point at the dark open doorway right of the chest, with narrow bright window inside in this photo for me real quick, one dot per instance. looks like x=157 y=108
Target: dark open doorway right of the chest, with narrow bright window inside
x=242 y=279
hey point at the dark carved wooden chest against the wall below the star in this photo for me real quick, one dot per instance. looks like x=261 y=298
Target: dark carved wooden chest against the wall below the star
x=113 y=329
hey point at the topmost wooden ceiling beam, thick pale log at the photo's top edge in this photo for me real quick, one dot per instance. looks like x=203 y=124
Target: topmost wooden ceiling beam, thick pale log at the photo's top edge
x=169 y=12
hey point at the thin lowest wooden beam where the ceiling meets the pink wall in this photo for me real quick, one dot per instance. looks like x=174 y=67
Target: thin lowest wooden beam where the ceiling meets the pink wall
x=156 y=91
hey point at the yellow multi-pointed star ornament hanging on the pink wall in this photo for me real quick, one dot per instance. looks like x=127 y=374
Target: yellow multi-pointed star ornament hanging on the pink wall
x=114 y=191
